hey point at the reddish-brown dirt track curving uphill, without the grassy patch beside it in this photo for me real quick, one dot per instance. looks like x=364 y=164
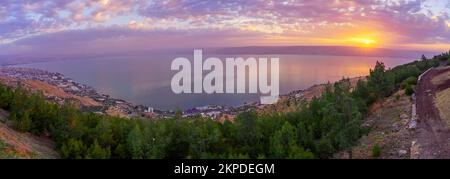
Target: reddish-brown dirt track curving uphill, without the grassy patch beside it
x=433 y=133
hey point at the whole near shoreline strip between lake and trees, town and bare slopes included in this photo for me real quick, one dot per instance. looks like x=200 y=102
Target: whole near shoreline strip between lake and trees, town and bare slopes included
x=122 y=108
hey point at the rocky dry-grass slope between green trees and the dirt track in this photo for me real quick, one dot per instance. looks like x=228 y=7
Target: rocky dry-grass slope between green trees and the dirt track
x=390 y=131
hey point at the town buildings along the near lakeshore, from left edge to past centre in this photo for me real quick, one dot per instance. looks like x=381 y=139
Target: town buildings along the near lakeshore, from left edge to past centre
x=114 y=106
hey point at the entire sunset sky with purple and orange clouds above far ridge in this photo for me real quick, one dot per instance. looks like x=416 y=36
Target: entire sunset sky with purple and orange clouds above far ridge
x=105 y=26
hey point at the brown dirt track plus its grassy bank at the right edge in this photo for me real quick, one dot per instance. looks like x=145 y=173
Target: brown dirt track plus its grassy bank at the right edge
x=433 y=106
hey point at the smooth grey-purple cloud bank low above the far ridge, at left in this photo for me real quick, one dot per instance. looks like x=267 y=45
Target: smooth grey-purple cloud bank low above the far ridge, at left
x=118 y=40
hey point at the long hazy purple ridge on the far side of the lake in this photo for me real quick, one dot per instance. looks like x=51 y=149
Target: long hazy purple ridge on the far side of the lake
x=253 y=50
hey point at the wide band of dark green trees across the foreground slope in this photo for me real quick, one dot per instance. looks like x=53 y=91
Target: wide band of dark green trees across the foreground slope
x=318 y=129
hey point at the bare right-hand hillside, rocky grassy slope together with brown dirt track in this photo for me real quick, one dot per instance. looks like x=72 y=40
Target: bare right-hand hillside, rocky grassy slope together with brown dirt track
x=394 y=131
